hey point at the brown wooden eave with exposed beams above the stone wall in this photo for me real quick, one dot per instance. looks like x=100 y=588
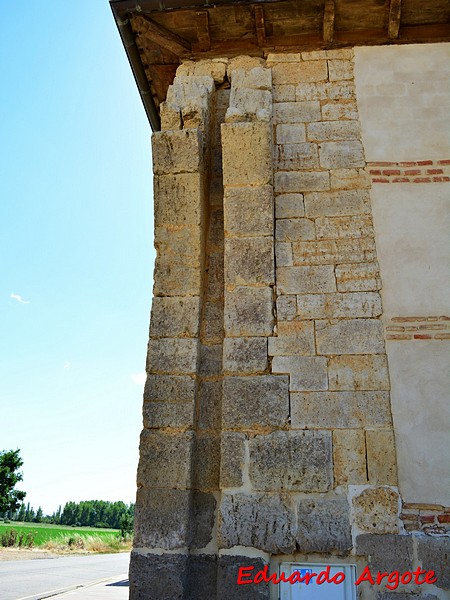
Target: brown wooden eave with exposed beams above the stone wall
x=159 y=34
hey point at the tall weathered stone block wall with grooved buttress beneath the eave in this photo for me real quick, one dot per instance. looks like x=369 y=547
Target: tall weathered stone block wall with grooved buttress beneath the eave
x=268 y=431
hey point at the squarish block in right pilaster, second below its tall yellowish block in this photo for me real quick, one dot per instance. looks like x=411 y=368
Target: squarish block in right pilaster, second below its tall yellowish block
x=249 y=261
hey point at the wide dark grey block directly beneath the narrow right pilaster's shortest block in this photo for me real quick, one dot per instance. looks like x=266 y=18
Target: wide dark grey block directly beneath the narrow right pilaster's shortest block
x=254 y=402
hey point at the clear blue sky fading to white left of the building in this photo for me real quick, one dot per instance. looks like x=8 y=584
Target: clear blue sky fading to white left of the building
x=76 y=251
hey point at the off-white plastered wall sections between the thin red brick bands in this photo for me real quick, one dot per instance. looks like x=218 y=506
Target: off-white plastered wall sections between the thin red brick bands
x=403 y=95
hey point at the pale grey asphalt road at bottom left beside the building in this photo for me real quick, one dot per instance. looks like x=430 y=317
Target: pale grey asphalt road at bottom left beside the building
x=20 y=579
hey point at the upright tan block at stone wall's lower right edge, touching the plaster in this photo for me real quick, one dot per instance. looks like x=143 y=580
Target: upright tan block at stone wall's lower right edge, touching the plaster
x=381 y=457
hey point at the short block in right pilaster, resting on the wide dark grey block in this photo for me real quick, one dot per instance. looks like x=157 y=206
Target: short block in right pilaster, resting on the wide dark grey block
x=244 y=355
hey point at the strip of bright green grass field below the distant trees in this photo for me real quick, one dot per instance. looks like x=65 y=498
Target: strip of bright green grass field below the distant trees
x=45 y=533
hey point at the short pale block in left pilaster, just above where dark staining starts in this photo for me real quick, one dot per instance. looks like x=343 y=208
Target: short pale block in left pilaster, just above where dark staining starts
x=172 y=355
